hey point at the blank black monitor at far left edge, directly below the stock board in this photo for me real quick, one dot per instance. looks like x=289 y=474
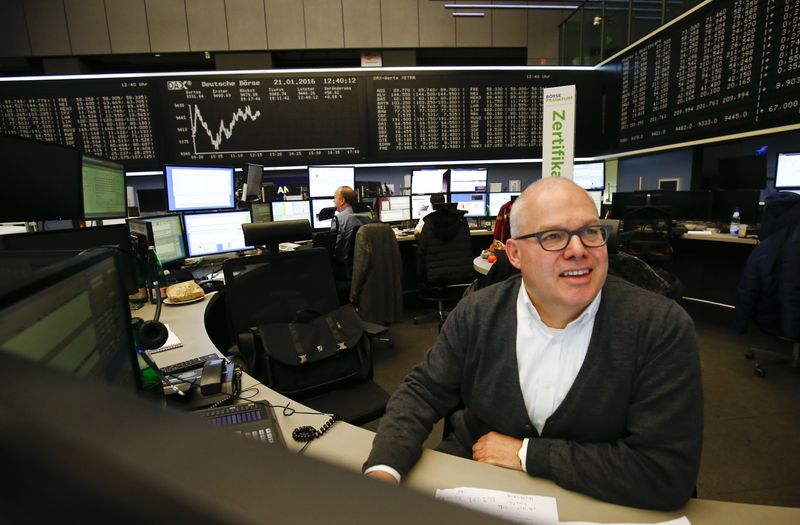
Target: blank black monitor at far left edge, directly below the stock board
x=40 y=181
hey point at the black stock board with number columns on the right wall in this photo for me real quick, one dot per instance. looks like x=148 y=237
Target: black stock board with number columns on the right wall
x=729 y=67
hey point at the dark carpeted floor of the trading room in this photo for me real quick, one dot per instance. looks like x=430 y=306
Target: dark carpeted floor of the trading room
x=751 y=447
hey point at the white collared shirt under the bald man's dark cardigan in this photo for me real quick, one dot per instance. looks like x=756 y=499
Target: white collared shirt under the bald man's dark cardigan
x=548 y=359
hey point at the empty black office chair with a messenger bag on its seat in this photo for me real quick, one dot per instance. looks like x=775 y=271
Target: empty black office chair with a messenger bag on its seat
x=276 y=288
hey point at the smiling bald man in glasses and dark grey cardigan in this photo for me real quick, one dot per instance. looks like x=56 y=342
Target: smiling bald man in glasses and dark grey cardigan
x=563 y=372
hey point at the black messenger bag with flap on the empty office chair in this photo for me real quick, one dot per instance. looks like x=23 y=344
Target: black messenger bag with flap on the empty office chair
x=313 y=354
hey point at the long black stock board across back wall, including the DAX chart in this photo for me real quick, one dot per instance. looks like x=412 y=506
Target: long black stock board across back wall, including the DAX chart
x=284 y=119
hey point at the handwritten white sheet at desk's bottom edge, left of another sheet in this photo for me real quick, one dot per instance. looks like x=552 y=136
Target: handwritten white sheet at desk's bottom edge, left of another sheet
x=519 y=508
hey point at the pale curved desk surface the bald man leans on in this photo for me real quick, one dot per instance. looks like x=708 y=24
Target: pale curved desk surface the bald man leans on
x=348 y=446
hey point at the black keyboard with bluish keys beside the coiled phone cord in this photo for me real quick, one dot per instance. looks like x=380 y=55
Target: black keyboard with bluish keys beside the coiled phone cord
x=252 y=420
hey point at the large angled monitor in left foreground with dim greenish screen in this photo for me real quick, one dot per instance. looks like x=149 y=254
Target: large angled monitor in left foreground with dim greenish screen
x=73 y=316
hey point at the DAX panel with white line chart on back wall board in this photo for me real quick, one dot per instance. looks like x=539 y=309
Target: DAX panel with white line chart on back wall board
x=273 y=119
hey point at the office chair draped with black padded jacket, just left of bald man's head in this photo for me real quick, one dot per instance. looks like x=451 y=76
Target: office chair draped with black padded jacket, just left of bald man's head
x=444 y=259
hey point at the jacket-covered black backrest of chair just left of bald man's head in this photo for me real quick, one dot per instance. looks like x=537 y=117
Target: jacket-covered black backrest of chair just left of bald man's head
x=444 y=250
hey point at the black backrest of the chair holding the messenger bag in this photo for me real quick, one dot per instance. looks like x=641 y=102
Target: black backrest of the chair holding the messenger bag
x=275 y=287
